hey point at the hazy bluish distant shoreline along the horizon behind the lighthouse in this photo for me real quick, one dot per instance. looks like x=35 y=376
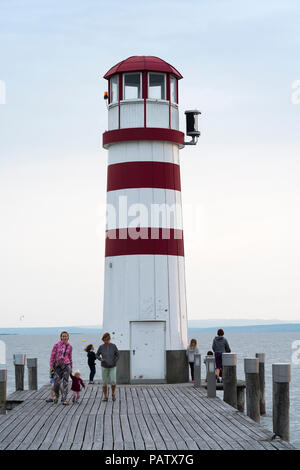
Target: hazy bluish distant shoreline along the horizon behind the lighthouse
x=86 y=330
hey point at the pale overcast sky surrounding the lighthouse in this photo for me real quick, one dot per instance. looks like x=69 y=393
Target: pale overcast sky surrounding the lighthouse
x=240 y=185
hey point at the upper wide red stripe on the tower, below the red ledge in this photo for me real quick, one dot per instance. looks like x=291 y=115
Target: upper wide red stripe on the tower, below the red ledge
x=143 y=175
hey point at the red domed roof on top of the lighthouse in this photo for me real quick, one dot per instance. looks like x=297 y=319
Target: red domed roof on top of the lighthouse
x=143 y=62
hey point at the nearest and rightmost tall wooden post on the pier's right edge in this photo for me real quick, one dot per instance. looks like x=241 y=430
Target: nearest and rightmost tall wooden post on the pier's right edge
x=281 y=400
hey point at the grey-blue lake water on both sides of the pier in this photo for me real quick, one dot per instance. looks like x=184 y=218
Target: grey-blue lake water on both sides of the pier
x=277 y=346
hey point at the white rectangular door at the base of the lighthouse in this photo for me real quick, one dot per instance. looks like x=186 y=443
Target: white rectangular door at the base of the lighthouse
x=147 y=362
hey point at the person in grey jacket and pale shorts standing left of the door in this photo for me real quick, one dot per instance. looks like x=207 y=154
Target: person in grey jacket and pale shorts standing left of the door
x=108 y=354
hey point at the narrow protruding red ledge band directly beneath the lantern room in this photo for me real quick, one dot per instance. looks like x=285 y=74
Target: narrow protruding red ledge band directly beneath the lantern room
x=142 y=133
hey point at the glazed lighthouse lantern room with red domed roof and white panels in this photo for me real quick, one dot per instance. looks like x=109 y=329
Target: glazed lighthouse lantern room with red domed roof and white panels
x=143 y=92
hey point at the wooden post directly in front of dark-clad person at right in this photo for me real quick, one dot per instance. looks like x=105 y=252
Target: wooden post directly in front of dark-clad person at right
x=229 y=361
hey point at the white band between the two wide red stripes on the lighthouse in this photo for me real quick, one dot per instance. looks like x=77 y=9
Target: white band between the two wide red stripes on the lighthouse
x=144 y=207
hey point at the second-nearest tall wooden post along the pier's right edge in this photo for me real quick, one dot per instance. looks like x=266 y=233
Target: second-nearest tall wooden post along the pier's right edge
x=252 y=388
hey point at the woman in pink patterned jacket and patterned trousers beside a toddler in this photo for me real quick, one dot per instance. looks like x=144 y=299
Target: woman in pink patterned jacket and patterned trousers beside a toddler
x=61 y=364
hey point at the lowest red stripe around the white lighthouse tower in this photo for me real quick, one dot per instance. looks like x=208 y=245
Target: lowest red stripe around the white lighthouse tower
x=144 y=241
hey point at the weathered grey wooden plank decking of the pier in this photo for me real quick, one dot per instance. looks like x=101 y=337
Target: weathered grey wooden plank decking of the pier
x=162 y=417
